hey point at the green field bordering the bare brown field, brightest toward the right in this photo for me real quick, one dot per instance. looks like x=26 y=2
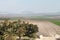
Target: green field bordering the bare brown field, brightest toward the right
x=53 y=20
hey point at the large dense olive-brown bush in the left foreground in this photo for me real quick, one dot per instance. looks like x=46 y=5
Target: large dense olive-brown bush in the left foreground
x=10 y=30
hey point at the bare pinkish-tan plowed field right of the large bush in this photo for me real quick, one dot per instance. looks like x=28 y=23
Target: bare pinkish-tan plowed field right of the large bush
x=46 y=28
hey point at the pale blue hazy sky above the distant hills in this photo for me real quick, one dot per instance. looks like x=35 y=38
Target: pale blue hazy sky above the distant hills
x=36 y=6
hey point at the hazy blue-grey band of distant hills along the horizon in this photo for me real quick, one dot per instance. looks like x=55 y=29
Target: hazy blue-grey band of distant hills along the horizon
x=24 y=14
